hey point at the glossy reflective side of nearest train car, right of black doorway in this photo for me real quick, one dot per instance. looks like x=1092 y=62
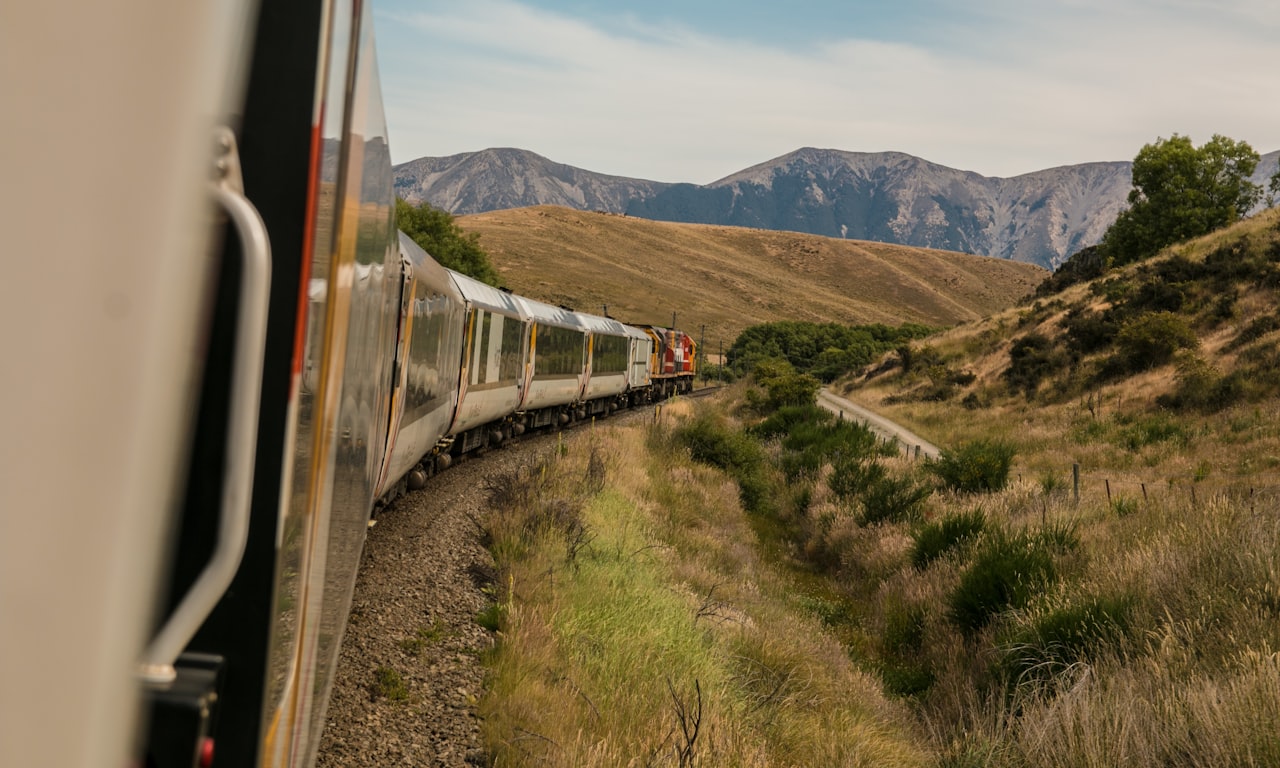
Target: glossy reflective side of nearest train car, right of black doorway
x=341 y=437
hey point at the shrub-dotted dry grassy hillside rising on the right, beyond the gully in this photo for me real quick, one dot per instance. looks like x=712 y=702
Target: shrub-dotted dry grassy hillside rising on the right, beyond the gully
x=1137 y=623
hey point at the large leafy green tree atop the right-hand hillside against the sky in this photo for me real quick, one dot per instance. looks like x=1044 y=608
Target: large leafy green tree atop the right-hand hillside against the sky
x=1182 y=191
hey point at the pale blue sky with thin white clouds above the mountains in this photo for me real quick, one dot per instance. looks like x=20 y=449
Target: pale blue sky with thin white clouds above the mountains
x=698 y=90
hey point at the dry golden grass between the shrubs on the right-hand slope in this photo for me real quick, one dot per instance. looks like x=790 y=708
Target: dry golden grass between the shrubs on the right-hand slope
x=1180 y=514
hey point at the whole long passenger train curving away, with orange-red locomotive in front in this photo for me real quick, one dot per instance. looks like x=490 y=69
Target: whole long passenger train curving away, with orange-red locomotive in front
x=221 y=356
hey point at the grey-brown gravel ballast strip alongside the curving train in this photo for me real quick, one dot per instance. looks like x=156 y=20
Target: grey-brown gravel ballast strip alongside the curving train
x=414 y=612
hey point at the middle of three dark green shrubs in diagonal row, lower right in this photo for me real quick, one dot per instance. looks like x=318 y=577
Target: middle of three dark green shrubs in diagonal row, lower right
x=1008 y=572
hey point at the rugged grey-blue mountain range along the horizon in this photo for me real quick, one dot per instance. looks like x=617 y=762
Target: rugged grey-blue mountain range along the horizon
x=1040 y=218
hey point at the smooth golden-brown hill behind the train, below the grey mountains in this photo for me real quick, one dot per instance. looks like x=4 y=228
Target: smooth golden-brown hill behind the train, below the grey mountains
x=729 y=278
